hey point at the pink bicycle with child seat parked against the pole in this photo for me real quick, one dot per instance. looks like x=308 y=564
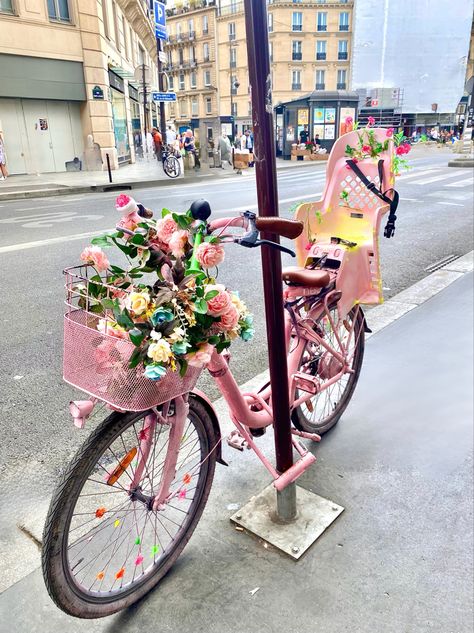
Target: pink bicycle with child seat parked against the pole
x=133 y=495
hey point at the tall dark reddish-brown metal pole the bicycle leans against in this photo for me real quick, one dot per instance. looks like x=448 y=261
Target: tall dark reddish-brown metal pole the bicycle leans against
x=267 y=196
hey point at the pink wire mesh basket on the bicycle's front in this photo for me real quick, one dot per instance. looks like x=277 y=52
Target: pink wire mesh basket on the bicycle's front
x=97 y=362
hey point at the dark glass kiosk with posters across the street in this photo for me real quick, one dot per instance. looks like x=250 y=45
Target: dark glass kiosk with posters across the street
x=320 y=115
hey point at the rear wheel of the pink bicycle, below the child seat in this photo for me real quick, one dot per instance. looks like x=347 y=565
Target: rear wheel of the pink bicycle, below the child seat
x=323 y=411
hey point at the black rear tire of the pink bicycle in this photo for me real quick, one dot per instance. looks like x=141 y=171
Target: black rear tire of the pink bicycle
x=300 y=418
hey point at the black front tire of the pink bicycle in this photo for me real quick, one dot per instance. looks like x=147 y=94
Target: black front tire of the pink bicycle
x=61 y=586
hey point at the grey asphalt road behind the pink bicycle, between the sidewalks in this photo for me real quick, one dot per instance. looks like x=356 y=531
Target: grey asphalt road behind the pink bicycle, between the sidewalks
x=38 y=238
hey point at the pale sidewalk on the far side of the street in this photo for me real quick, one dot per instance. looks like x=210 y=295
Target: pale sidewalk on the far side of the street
x=142 y=174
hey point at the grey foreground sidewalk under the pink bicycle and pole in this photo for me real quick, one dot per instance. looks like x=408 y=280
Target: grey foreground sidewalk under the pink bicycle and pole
x=398 y=560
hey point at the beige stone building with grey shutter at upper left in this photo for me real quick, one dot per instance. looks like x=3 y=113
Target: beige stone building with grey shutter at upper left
x=67 y=82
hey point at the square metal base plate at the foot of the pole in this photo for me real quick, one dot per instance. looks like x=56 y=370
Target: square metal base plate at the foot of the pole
x=315 y=514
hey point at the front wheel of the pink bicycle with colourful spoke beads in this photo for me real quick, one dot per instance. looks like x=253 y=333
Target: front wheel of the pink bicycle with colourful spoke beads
x=104 y=547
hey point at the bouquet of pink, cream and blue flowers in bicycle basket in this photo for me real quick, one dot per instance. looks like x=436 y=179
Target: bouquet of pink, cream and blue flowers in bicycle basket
x=173 y=318
